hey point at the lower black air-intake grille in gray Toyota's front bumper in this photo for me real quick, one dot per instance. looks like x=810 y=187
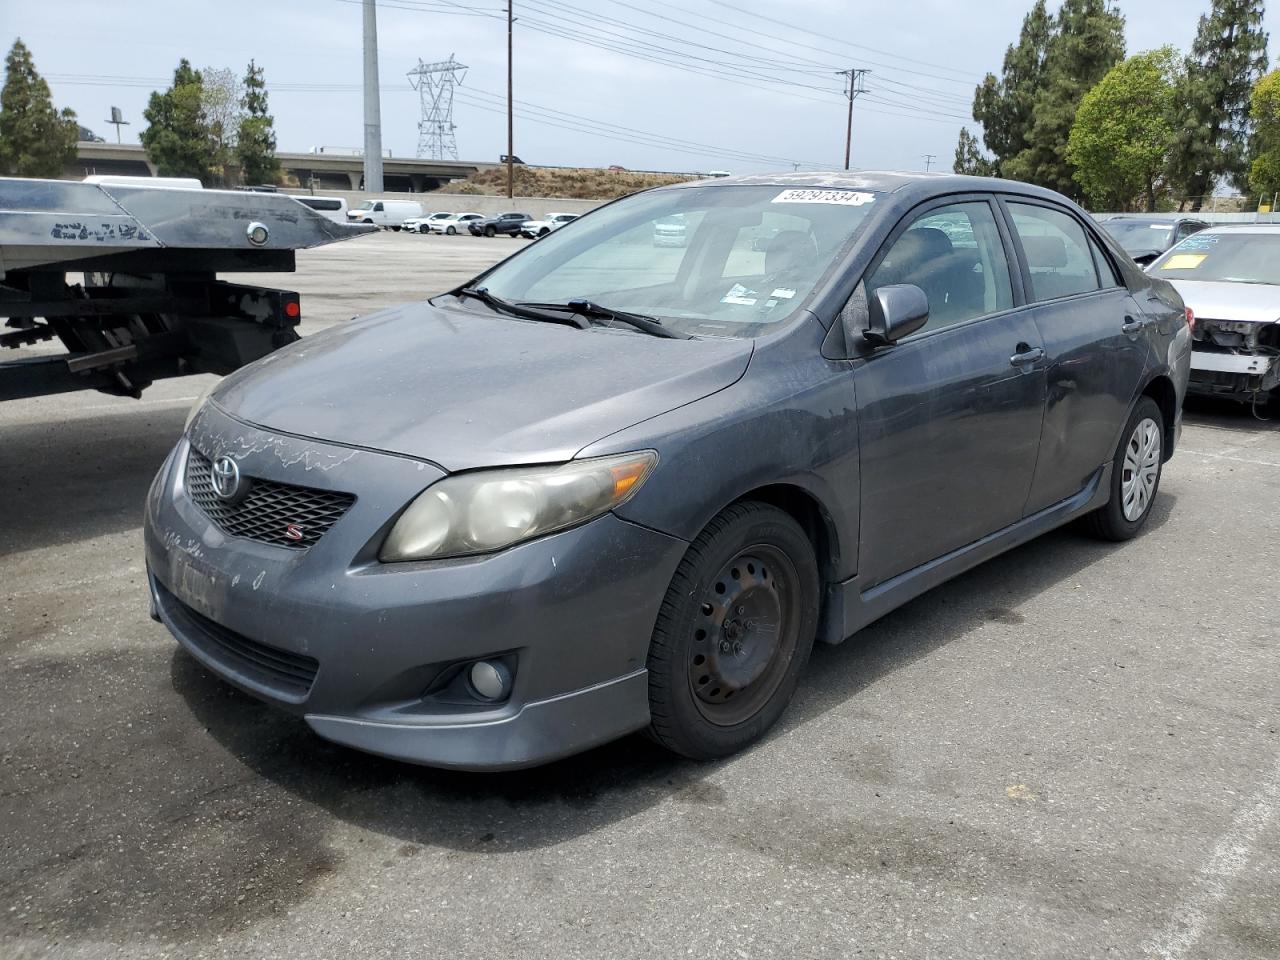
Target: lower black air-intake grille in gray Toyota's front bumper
x=289 y=675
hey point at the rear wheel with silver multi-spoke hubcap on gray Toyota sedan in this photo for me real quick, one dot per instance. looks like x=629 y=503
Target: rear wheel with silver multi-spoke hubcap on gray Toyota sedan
x=1135 y=476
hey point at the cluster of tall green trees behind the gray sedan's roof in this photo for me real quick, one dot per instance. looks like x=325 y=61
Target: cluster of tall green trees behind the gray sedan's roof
x=1153 y=131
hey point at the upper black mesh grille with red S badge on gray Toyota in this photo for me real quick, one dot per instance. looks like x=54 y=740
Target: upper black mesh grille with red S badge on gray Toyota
x=271 y=513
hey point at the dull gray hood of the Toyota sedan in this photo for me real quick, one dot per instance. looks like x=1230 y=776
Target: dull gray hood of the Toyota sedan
x=470 y=390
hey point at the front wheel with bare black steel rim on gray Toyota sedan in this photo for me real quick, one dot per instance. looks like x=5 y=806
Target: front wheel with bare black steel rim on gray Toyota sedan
x=753 y=561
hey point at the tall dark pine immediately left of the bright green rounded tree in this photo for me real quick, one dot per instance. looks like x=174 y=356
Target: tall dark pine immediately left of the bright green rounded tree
x=1089 y=40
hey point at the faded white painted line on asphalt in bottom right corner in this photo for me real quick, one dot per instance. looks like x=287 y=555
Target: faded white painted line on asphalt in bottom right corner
x=1210 y=884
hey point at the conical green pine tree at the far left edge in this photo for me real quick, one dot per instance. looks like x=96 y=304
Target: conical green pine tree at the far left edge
x=35 y=139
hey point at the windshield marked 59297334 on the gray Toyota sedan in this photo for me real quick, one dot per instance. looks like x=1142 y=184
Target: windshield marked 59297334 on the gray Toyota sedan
x=710 y=262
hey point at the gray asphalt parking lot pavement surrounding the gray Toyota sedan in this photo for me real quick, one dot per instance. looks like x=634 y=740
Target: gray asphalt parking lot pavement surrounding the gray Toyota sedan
x=1071 y=752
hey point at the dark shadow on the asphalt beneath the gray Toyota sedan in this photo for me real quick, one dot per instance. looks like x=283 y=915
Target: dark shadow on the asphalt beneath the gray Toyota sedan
x=550 y=804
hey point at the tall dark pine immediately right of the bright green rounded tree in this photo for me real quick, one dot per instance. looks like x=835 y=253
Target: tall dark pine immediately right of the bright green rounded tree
x=1227 y=61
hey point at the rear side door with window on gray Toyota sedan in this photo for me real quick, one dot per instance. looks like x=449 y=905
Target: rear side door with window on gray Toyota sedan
x=1095 y=342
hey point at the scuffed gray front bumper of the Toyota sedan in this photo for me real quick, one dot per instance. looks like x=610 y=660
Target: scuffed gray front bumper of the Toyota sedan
x=363 y=650
